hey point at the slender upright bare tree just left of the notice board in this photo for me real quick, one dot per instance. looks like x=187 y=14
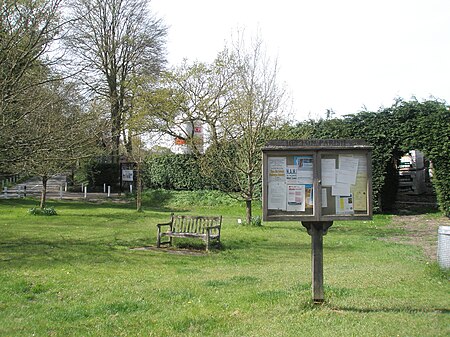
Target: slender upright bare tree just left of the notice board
x=255 y=101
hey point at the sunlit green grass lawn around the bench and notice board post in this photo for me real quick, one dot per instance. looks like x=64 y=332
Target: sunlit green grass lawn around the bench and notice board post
x=75 y=274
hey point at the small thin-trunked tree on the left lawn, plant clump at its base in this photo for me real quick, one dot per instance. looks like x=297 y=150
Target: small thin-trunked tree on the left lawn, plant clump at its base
x=62 y=132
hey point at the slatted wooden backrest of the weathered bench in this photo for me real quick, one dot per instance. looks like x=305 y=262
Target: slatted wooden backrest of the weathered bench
x=194 y=224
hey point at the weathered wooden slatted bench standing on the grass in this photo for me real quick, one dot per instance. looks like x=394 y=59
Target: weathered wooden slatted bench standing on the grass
x=188 y=226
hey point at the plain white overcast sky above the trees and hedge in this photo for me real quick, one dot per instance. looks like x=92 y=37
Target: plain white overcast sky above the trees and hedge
x=332 y=54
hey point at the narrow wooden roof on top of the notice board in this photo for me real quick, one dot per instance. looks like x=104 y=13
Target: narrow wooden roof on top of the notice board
x=316 y=144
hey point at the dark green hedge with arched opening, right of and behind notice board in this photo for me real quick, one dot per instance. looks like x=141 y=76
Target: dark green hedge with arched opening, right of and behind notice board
x=393 y=131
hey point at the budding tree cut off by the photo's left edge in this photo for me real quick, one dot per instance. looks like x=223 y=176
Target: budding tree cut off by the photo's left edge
x=27 y=30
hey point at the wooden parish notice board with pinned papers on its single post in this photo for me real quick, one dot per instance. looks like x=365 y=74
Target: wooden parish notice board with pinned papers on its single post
x=317 y=182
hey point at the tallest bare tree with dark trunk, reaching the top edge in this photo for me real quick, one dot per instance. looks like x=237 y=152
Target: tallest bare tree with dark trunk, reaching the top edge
x=112 y=42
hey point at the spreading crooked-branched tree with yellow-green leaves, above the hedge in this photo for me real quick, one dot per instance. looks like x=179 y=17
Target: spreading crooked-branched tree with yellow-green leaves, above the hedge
x=186 y=96
